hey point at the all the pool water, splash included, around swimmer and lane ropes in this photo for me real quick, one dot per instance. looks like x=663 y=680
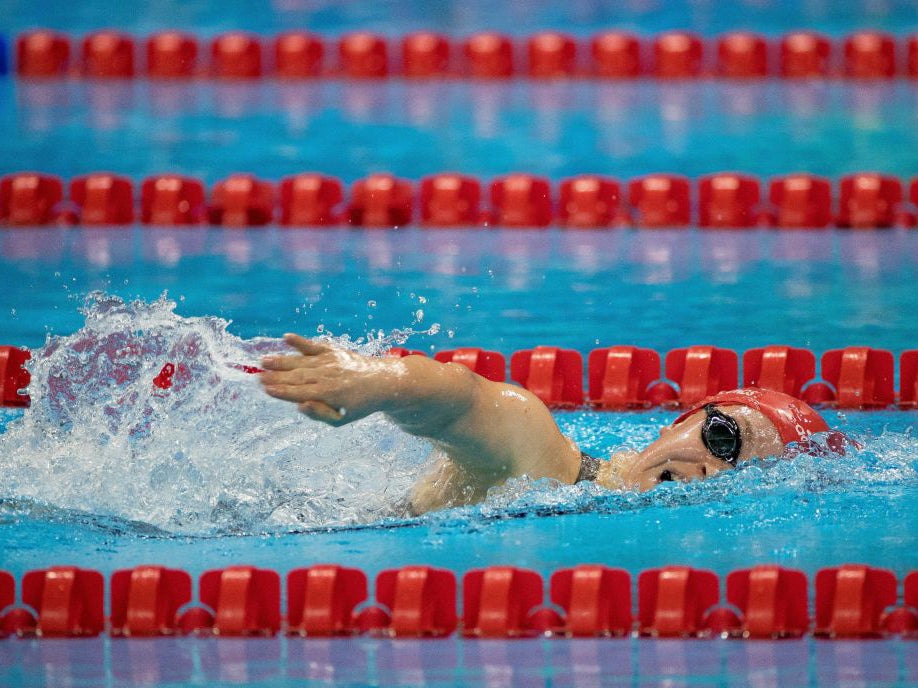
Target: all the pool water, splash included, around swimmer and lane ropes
x=106 y=473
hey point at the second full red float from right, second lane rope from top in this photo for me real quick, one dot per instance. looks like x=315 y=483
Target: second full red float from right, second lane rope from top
x=800 y=201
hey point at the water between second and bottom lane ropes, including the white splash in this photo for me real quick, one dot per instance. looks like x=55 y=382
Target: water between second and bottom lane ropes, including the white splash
x=164 y=459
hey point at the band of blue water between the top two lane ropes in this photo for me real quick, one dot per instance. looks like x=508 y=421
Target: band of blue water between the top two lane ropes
x=350 y=130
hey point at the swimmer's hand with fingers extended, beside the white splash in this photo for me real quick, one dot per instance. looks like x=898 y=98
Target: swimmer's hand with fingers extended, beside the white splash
x=328 y=384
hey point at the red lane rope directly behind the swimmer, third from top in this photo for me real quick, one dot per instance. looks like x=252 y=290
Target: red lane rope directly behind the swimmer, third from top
x=620 y=378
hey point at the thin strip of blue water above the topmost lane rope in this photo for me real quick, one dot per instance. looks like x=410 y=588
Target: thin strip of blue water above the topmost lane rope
x=395 y=18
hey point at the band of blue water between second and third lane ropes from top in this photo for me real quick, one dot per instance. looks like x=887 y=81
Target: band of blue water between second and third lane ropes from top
x=501 y=290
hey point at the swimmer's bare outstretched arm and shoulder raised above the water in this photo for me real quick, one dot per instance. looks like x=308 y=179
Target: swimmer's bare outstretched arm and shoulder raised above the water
x=488 y=431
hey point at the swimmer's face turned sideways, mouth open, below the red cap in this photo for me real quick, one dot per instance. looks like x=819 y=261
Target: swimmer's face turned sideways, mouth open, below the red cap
x=682 y=454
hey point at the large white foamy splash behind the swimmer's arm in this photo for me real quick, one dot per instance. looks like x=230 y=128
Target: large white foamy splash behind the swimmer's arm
x=209 y=454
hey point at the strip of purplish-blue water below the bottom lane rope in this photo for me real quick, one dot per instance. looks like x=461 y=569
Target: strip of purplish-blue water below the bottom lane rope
x=283 y=661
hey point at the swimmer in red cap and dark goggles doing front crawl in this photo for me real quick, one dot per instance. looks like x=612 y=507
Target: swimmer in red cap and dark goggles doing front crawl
x=488 y=432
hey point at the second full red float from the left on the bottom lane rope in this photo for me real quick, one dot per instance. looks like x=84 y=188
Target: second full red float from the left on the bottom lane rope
x=146 y=600
